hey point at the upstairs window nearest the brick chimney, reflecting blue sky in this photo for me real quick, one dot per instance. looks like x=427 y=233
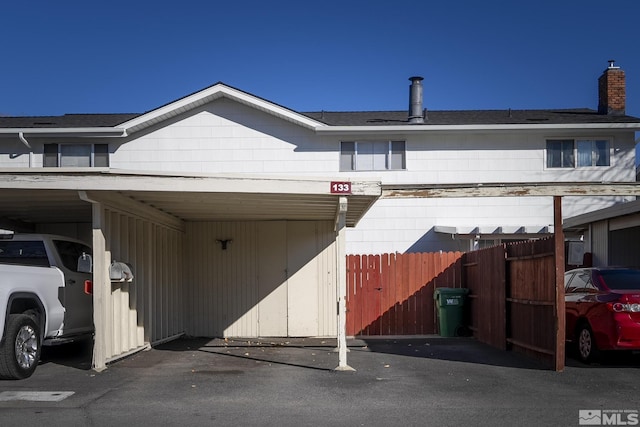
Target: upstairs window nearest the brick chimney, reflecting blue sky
x=572 y=153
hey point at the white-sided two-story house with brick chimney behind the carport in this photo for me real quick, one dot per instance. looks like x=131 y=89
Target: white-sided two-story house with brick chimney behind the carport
x=222 y=130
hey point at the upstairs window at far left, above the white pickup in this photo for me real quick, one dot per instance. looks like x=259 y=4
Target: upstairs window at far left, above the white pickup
x=76 y=155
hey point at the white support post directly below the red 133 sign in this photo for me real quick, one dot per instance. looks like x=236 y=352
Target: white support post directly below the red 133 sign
x=341 y=220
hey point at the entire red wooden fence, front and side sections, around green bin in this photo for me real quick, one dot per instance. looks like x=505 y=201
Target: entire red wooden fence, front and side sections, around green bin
x=516 y=295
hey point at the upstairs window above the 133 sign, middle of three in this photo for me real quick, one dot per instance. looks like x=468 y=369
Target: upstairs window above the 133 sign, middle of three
x=372 y=155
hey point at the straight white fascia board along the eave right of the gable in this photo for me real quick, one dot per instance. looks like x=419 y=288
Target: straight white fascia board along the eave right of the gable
x=474 y=128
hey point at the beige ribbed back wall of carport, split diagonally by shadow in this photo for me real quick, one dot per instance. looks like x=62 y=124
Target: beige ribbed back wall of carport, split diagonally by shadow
x=240 y=292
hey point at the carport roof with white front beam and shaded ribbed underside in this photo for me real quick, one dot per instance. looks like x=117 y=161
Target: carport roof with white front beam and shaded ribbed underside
x=61 y=196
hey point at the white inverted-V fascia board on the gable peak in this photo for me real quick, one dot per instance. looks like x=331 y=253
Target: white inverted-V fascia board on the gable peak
x=212 y=93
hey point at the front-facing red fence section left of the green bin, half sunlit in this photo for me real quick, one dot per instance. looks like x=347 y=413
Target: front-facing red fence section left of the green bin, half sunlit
x=392 y=294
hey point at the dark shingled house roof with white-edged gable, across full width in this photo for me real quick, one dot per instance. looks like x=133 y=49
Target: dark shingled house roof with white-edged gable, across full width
x=327 y=121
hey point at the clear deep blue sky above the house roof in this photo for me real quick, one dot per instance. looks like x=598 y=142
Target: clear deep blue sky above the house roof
x=70 y=56
